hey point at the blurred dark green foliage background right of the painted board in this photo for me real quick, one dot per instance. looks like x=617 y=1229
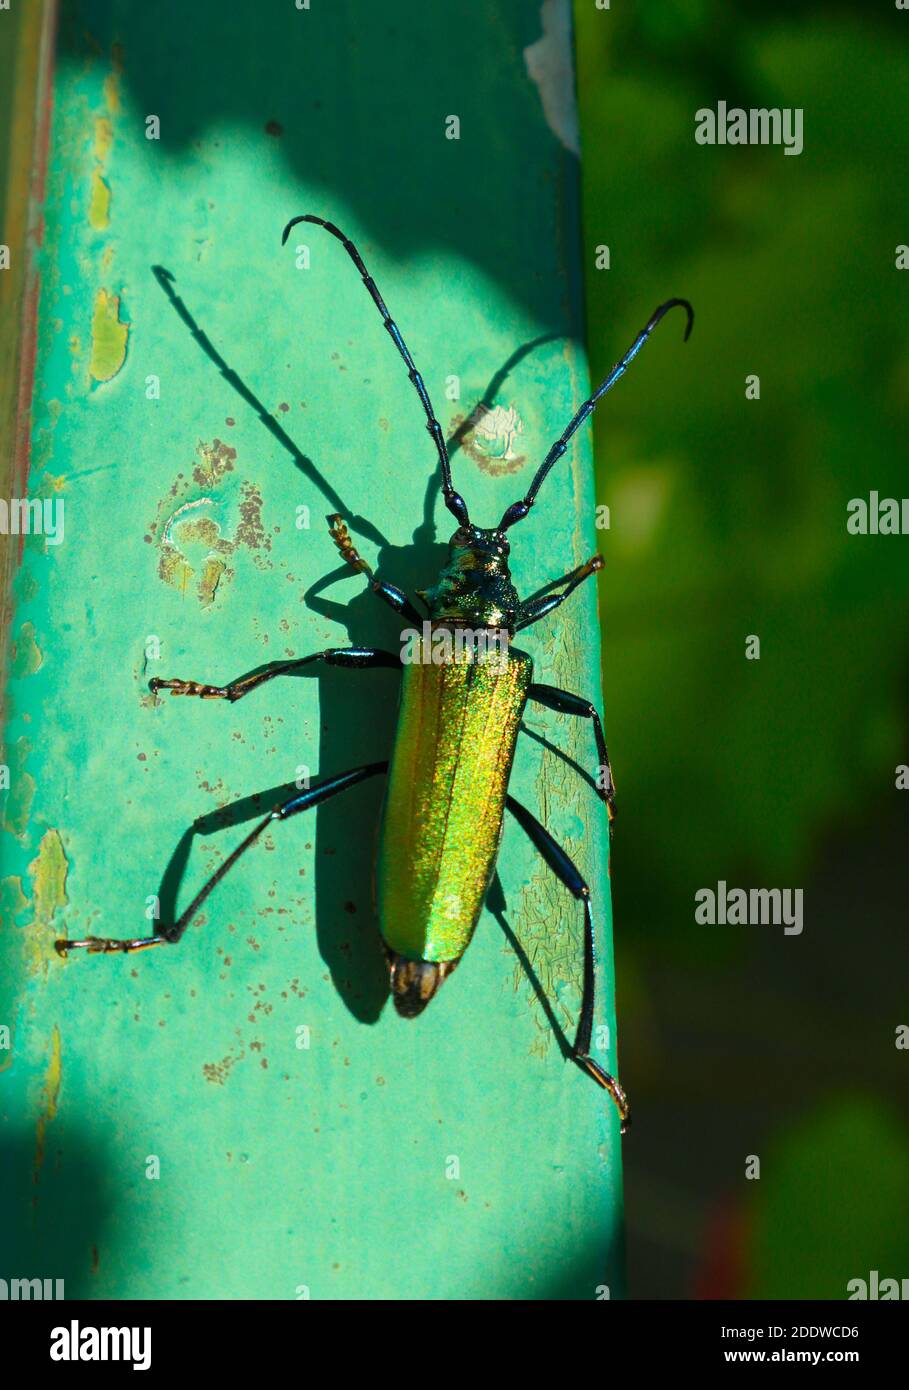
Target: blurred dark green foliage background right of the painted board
x=728 y=521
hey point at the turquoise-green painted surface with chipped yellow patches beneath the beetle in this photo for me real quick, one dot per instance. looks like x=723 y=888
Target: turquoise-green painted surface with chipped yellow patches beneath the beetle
x=165 y=1131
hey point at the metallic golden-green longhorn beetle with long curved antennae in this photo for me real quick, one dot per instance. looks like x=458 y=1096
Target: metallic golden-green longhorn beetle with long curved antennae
x=455 y=743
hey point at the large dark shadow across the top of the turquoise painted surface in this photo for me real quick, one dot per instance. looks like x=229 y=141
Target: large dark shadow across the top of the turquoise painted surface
x=372 y=137
